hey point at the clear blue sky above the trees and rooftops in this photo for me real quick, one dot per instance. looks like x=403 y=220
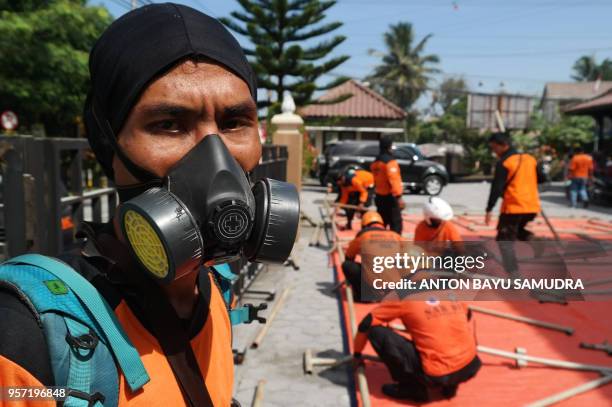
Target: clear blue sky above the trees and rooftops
x=515 y=45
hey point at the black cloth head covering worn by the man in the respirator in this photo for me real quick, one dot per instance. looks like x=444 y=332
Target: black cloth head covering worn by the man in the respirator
x=133 y=51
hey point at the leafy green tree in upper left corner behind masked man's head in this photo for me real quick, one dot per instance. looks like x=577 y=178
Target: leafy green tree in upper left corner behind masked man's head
x=44 y=48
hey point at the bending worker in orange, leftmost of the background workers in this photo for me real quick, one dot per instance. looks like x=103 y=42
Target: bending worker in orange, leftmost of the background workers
x=356 y=189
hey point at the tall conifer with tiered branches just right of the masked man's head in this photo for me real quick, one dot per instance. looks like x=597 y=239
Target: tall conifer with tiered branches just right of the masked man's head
x=282 y=53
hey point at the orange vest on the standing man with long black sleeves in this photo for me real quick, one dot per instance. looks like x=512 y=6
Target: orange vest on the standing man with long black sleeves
x=521 y=192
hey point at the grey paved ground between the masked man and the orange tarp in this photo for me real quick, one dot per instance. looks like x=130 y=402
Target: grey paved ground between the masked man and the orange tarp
x=309 y=319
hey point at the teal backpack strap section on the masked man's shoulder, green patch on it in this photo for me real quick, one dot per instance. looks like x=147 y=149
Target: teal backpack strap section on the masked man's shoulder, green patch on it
x=83 y=334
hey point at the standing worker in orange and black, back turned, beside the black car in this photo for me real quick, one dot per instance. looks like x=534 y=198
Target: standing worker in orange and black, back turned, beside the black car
x=388 y=181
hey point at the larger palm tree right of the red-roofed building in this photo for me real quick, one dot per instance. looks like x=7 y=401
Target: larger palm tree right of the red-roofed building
x=404 y=72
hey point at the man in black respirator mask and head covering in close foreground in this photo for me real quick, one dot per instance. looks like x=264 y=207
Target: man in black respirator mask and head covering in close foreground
x=172 y=118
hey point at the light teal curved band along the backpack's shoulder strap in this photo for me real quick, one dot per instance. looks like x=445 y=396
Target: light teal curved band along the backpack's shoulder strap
x=124 y=352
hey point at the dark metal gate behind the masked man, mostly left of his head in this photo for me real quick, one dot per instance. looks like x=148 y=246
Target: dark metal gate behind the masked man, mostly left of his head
x=48 y=188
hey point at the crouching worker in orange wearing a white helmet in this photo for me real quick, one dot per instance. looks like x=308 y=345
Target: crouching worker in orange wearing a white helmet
x=436 y=232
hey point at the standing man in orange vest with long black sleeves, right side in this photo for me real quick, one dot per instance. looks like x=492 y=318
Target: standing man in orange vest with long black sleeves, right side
x=516 y=182
